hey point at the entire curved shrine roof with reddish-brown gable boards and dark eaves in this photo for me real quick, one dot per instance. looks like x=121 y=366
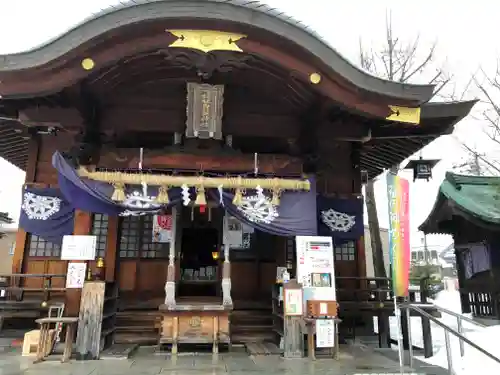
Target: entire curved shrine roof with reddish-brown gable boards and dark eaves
x=123 y=32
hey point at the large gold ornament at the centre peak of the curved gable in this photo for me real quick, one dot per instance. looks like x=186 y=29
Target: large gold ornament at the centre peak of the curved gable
x=206 y=40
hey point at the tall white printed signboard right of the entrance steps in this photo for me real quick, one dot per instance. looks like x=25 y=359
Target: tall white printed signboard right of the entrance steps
x=315 y=267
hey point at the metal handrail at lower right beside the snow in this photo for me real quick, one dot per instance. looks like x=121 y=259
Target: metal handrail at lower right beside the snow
x=447 y=331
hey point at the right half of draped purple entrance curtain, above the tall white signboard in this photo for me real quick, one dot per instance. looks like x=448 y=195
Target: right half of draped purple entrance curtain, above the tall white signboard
x=294 y=216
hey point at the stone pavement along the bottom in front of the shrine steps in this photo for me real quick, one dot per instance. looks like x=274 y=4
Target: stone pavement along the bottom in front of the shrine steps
x=353 y=360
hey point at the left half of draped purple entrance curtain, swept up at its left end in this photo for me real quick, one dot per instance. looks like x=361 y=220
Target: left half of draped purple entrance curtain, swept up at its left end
x=95 y=196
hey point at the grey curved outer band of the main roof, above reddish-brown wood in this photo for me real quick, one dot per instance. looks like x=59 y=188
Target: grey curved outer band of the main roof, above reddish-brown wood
x=248 y=13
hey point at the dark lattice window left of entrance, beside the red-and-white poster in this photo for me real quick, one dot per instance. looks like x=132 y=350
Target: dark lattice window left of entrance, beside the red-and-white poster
x=136 y=239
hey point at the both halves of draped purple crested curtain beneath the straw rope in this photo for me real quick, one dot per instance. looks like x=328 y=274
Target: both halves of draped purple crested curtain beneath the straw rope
x=295 y=215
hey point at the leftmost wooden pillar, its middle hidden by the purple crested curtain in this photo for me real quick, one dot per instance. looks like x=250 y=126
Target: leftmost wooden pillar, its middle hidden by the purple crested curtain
x=22 y=236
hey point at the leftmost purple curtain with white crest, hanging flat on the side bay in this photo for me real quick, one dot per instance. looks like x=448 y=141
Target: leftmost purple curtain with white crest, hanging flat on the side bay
x=47 y=214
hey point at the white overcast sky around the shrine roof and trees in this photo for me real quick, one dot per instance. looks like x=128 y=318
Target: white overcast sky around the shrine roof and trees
x=465 y=32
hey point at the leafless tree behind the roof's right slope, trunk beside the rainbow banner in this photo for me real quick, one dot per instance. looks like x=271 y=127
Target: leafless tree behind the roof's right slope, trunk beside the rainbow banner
x=403 y=63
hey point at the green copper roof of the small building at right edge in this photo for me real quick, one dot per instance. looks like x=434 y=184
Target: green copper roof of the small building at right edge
x=477 y=196
